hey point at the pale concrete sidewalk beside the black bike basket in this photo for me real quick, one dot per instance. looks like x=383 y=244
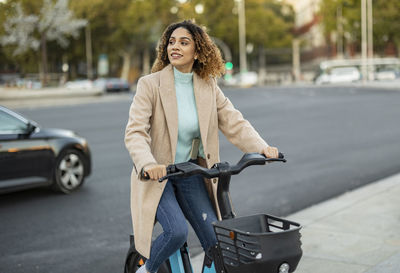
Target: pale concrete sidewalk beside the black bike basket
x=357 y=232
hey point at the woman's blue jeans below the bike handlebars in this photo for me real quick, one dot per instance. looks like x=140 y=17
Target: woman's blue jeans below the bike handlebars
x=183 y=198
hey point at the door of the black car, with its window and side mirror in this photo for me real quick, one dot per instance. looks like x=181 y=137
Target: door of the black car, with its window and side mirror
x=23 y=159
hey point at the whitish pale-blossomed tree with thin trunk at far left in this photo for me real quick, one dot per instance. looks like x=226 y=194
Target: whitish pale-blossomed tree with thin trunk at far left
x=54 y=22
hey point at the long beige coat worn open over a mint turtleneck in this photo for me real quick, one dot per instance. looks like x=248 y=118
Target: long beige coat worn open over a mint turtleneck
x=152 y=133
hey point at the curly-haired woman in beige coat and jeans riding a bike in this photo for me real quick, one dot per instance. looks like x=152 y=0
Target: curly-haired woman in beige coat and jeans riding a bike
x=174 y=117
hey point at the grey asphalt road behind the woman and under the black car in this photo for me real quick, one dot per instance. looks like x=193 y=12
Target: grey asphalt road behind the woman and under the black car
x=335 y=139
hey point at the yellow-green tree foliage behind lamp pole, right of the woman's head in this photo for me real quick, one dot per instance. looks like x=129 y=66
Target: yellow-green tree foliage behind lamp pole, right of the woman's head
x=268 y=23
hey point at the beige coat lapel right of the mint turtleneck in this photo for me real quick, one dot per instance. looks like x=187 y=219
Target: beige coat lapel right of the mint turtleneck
x=202 y=93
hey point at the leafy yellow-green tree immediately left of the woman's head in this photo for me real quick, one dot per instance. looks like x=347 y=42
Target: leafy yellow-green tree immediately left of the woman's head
x=126 y=30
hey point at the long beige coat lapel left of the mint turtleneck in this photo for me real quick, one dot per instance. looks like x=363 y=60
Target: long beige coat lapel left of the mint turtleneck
x=168 y=99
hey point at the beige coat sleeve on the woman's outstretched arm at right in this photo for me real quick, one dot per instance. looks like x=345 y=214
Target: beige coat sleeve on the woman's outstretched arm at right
x=237 y=129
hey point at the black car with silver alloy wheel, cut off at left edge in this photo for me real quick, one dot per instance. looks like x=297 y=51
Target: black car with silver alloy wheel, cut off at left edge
x=31 y=156
